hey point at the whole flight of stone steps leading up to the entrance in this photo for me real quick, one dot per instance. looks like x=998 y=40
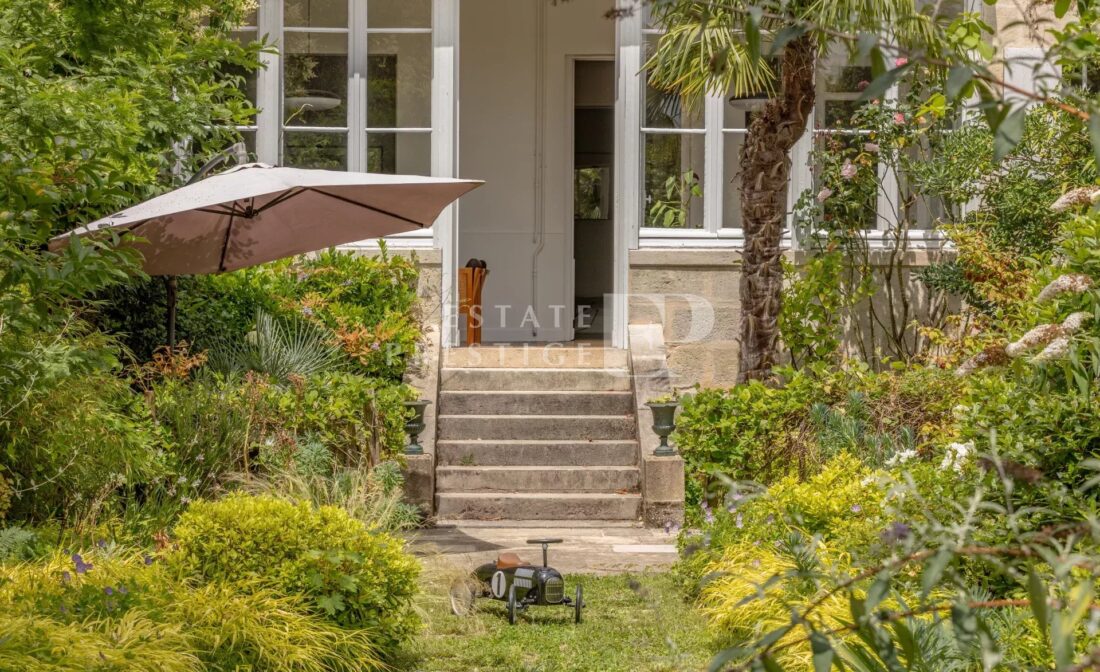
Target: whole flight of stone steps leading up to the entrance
x=537 y=435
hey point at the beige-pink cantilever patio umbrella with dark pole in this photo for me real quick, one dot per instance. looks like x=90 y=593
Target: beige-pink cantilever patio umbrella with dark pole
x=256 y=214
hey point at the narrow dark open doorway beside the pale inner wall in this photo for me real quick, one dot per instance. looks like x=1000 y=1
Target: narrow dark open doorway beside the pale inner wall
x=593 y=221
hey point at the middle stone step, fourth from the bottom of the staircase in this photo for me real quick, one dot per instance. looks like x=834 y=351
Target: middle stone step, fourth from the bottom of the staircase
x=576 y=428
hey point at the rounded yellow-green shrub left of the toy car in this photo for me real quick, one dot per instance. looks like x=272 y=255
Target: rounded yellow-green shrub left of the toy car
x=356 y=577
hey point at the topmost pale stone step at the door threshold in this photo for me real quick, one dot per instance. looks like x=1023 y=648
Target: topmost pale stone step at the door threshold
x=543 y=356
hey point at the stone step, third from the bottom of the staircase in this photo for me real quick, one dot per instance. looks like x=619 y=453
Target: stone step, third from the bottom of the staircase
x=545 y=454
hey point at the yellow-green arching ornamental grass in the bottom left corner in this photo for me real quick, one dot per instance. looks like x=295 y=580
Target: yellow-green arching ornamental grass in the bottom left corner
x=129 y=613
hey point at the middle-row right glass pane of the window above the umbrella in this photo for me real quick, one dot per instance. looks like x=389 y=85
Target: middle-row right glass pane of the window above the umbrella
x=399 y=81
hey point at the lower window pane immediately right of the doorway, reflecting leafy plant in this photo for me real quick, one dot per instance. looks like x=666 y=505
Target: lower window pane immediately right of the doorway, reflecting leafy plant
x=674 y=181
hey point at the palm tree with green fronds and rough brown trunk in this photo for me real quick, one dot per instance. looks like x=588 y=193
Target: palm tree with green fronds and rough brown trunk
x=731 y=46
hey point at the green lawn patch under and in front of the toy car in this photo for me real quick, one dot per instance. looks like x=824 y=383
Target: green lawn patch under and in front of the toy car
x=632 y=623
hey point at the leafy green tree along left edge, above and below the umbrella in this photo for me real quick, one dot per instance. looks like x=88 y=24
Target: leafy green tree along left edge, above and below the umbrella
x=96 y=100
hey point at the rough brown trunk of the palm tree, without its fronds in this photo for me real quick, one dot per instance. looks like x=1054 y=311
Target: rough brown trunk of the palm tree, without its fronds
x=766 y=170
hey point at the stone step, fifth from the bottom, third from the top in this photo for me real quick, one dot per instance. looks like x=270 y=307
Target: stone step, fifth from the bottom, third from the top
x=536 y=403
